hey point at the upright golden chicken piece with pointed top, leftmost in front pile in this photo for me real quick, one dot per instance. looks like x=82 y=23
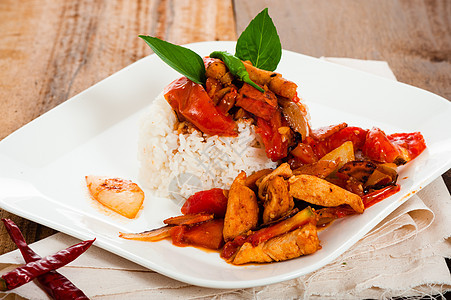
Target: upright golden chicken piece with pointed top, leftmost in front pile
x=242 y=209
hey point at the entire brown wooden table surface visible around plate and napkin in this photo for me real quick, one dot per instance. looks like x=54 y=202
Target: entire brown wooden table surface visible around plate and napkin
x=53 y=50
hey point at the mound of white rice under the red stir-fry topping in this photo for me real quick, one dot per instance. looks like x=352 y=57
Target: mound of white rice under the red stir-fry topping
x=179 y=165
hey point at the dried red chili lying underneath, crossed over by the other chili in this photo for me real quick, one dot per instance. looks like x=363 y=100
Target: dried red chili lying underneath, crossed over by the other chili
x=56 y=285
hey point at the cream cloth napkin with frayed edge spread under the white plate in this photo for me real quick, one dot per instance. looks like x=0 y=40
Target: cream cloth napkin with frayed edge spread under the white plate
x=402 y=256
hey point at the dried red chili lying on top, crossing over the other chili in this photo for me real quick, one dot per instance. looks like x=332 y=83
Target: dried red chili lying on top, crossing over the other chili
x=31 y=270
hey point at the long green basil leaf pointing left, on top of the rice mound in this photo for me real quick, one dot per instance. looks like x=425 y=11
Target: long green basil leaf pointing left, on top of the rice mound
x=181 y=59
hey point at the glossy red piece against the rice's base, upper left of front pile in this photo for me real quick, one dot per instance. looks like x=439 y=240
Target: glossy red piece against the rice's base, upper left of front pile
x=210 y=201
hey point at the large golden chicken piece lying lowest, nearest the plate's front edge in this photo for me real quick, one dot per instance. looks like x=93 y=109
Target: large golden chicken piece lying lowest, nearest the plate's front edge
x=293 y=244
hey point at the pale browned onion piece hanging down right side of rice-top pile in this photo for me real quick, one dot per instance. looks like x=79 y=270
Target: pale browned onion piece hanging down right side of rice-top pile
x=295 y=116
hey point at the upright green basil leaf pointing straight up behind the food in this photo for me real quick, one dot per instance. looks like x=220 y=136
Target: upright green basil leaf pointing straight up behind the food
x=260 y=43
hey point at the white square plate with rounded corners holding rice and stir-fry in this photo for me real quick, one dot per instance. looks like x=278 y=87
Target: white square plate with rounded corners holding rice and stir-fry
x=43 y=164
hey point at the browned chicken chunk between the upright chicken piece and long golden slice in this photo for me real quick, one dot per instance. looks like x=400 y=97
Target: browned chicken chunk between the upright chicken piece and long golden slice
x=278 y=201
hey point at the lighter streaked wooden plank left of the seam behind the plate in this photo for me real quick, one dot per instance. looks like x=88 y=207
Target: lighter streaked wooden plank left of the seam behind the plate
x=53 y=50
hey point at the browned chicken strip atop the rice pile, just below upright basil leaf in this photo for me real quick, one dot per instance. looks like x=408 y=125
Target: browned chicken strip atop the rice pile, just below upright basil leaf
x=274 y=81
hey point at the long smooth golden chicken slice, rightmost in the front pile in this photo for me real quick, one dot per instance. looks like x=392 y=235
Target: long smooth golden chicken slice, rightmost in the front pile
x=321 y=192
